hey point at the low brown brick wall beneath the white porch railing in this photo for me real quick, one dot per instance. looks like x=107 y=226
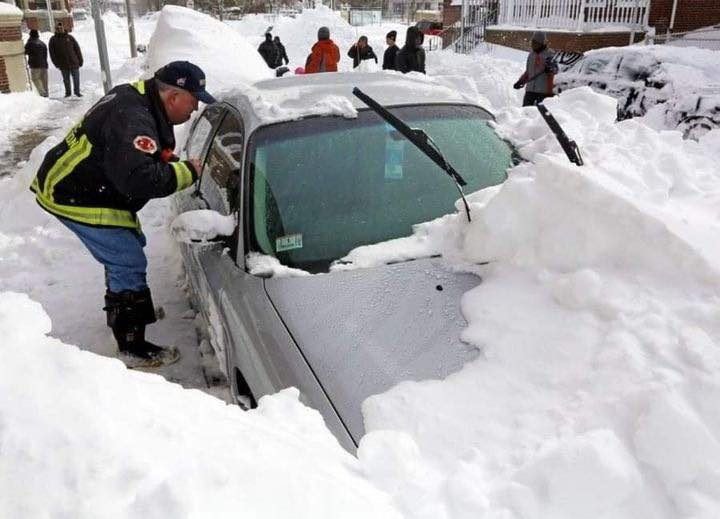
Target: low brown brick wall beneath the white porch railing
x=568 y=41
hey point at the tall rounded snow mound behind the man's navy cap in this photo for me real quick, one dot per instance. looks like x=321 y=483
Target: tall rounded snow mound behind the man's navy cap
x=226 y=58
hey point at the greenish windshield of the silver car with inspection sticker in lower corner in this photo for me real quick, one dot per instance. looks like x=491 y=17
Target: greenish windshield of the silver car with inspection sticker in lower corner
x=323 y=186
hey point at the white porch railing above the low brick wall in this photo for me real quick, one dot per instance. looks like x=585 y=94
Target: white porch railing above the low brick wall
x=578 y=15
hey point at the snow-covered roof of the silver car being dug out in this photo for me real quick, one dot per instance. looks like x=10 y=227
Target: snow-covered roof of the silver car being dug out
x=307 y=95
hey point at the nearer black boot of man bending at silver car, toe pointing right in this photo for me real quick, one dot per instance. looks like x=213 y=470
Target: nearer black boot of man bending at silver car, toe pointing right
x=128 y=312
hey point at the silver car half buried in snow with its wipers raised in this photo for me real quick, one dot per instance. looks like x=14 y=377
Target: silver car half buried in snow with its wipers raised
x=309 y=173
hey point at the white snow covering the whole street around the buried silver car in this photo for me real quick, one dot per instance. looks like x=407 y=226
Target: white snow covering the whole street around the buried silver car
x=596 y=394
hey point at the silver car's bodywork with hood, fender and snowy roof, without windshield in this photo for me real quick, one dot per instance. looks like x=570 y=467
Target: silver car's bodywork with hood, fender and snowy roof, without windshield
x=338 y=337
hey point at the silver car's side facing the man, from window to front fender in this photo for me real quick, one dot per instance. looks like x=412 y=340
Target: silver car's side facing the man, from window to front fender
x=245 y=328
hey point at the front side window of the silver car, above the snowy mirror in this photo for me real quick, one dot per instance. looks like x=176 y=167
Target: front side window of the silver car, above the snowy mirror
x=220 y=182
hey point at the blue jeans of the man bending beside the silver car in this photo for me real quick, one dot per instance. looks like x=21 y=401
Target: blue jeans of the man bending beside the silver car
x=119 y=250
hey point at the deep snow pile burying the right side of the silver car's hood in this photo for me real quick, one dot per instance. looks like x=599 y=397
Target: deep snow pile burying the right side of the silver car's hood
x=596 y=393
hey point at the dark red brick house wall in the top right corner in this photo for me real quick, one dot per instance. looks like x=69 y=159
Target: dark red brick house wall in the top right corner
x=690 y=14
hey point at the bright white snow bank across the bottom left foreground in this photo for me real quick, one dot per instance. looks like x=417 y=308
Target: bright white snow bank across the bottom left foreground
x=84 y=437
